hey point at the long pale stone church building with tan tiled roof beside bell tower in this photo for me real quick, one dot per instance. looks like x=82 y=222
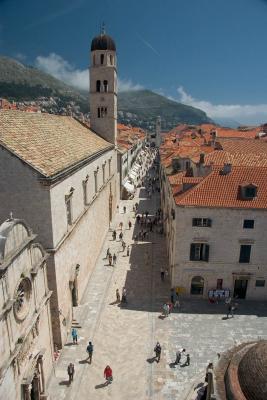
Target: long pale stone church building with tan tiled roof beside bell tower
x=62 y=178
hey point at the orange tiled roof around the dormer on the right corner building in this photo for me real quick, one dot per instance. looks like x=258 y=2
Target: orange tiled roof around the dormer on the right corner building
x=217 y=190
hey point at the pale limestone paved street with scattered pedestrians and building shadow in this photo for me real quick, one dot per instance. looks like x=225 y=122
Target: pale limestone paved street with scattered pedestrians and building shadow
x=124 y=336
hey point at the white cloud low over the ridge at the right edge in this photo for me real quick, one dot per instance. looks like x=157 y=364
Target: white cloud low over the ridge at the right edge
x=247 y=114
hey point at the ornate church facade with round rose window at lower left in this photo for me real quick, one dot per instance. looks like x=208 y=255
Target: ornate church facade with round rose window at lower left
x=26 y=345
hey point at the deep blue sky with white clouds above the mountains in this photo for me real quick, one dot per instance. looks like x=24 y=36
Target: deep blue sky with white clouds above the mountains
x=210 y=54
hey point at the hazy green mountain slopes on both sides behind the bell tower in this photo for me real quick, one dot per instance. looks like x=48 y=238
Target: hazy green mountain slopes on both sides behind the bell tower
x=139 y=108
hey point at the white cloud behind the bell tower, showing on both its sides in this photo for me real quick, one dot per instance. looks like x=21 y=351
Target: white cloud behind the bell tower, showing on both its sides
x=56 y=66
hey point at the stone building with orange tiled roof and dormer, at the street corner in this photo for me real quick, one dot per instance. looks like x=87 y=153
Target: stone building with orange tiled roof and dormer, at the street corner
x=214 y=235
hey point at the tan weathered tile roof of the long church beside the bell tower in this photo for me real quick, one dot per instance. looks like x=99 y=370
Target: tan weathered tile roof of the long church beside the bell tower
x=49 y=143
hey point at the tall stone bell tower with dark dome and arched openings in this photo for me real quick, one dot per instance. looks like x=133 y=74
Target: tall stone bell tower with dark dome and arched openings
x=103 y=87
